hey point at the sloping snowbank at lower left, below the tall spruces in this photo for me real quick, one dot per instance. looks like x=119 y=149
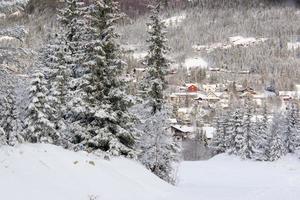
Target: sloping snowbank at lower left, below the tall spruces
x=35 y=172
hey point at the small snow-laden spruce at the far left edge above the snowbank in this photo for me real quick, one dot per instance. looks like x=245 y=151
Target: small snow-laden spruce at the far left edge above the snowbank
x=10 y=122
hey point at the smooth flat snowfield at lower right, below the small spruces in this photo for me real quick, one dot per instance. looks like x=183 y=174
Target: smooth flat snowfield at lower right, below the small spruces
x=229 y=178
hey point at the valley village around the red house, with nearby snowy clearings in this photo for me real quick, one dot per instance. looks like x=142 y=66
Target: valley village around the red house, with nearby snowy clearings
x=198 y=93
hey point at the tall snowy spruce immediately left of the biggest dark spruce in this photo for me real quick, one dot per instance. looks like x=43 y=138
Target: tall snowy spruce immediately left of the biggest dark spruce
x=73 y=31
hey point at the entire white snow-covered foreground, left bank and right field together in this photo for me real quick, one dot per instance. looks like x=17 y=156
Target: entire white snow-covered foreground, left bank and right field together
x=34 y=172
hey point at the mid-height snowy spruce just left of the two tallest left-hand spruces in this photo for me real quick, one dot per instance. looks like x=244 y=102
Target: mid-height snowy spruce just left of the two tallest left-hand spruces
x=57 y=78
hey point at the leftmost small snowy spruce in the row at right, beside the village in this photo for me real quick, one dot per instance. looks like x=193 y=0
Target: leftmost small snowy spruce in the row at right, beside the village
x=219 y=143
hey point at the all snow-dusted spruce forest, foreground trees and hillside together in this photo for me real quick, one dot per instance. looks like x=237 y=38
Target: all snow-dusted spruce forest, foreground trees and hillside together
x=65 y=76
